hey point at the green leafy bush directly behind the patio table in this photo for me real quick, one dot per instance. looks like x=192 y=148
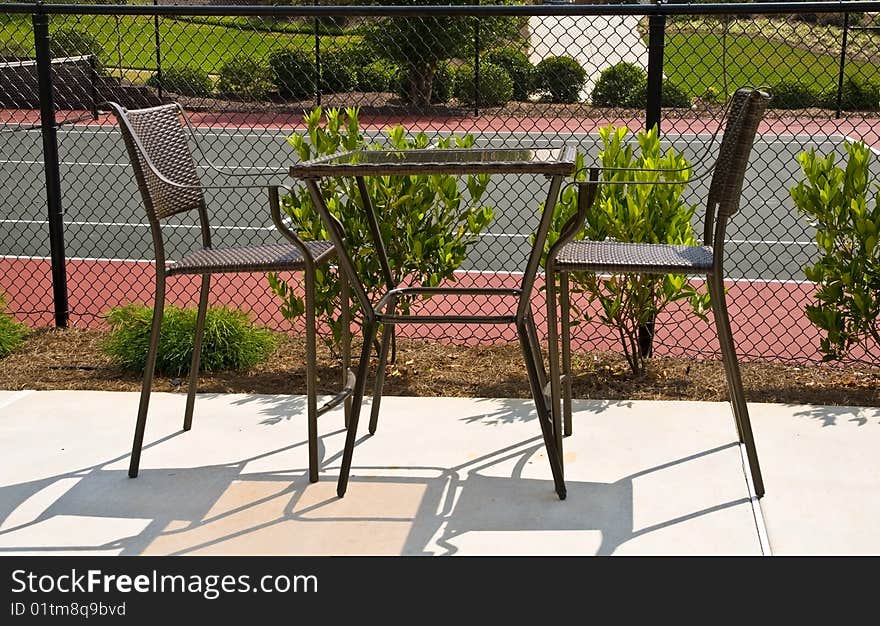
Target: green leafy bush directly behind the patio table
x=433 y=222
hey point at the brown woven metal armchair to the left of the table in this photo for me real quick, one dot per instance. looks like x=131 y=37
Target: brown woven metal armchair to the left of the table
x=157 y=139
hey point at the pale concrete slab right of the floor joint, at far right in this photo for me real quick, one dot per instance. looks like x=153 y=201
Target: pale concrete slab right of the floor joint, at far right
x=822 y=473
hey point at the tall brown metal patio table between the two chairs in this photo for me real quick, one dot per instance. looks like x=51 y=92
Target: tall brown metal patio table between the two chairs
x=555 y=164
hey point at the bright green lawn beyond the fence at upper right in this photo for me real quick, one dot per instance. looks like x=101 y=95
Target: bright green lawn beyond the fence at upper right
x=693 y=61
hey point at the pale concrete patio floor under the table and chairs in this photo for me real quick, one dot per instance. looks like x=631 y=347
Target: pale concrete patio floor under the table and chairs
x=441 y=476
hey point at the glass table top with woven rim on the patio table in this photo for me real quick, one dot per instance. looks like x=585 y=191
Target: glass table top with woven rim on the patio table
x=556 y=161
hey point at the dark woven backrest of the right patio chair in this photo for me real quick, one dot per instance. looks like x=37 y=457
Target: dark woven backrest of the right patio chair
x=746 y=110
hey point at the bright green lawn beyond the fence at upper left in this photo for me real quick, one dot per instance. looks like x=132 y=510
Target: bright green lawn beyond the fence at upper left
x=182 y=43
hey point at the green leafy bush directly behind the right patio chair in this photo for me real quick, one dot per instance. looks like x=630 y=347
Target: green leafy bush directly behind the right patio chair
x=638 y=213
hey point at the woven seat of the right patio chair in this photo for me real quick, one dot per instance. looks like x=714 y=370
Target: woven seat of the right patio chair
x=616 y=257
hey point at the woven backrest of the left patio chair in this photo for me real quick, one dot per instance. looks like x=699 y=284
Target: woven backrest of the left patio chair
x=160 y=155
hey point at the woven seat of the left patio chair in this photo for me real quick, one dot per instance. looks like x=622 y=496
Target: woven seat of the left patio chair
x=267 y=258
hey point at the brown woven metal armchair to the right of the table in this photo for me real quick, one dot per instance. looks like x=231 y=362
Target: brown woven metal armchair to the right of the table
x=745 y=111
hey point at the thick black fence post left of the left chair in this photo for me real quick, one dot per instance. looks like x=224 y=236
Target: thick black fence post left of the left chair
x=49 y=130
